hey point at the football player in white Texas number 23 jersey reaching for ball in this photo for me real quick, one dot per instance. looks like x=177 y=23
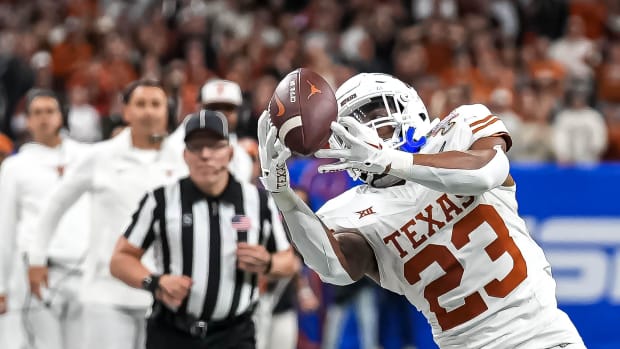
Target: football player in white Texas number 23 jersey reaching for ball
x=435 y=221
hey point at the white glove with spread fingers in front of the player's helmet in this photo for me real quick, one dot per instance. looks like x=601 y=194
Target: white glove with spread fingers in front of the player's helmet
x=363 y=150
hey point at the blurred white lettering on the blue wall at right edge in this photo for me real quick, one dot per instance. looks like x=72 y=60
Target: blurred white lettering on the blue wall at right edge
x=585 y=257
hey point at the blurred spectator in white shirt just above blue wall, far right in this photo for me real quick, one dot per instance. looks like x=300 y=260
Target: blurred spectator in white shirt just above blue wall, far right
x=579 y=131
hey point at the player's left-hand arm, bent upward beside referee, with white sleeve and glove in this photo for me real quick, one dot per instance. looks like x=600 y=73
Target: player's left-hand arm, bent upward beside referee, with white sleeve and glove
x=339 y=259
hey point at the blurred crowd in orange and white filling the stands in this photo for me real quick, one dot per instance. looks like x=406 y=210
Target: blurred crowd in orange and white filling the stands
x=550 y=69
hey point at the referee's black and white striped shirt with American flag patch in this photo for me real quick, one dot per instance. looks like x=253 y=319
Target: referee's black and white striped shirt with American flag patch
x=196 y=235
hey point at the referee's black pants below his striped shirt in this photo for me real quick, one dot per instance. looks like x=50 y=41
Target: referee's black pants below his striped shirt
x=160 y=335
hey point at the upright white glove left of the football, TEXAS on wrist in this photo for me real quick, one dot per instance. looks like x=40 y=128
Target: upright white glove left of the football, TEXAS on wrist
x=273 y=155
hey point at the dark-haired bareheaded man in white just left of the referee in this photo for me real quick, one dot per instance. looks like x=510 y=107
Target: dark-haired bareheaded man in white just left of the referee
x=117 y=173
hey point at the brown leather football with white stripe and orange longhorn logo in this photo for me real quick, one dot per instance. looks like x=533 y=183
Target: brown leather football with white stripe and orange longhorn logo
x=302 y=109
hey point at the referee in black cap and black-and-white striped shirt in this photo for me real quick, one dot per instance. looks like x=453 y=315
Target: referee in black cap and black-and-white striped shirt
x=209 y=232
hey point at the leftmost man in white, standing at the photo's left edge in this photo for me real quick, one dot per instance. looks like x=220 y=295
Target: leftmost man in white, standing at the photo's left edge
x=26 y=180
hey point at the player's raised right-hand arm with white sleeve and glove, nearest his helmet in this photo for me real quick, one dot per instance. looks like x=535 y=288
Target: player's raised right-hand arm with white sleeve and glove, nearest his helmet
x=481 y=168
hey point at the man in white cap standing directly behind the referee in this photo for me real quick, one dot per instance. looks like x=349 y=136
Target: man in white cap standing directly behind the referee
x=223 y=96
